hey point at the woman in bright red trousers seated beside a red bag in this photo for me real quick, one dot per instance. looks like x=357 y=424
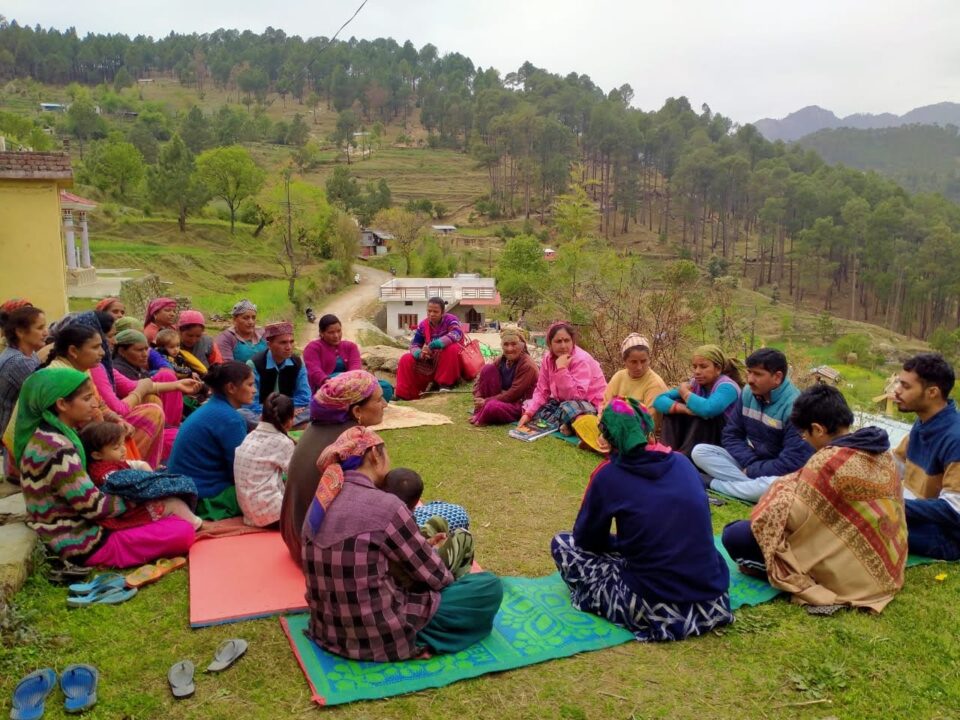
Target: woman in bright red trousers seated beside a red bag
x=434 y=353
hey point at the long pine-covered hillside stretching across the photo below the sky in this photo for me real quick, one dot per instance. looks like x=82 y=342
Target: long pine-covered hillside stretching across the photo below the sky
x=855 y=243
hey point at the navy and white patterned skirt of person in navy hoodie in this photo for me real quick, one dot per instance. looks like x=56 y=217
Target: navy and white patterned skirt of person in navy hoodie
x=596 y=587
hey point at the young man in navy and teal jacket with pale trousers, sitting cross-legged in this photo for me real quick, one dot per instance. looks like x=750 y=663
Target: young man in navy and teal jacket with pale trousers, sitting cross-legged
x=759 y=442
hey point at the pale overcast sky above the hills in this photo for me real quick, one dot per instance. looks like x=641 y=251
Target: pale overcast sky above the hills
x=746 y=59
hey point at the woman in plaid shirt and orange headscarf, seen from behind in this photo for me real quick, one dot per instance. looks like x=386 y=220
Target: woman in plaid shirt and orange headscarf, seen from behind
x=356 y=540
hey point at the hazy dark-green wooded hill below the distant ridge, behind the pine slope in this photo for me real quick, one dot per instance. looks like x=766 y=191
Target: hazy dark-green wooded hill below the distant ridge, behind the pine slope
x=921 y=158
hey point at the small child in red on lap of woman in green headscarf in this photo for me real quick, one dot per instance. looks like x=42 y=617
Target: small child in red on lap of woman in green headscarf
x=107 y=461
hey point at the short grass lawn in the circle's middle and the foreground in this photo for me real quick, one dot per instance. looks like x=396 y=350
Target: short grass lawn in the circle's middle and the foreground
x=774 y=662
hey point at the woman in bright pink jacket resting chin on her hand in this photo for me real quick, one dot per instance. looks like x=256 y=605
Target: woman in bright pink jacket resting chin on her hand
x=571 y=382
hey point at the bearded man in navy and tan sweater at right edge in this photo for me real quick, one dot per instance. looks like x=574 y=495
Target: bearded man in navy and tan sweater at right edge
x=931 y=453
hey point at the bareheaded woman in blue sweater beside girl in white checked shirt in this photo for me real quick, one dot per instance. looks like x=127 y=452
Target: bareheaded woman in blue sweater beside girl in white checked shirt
x=207 y=440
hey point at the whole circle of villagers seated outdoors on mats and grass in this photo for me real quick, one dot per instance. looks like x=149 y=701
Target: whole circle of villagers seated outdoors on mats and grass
x=387 y=578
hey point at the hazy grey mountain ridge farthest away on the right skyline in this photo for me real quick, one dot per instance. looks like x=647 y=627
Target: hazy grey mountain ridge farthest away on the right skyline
x=813 y=118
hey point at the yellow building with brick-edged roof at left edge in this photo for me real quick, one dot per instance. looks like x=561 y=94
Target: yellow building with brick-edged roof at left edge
x=32 y=258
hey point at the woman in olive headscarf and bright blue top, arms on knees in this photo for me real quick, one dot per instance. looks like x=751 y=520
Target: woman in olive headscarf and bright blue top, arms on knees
x=697 y=410
